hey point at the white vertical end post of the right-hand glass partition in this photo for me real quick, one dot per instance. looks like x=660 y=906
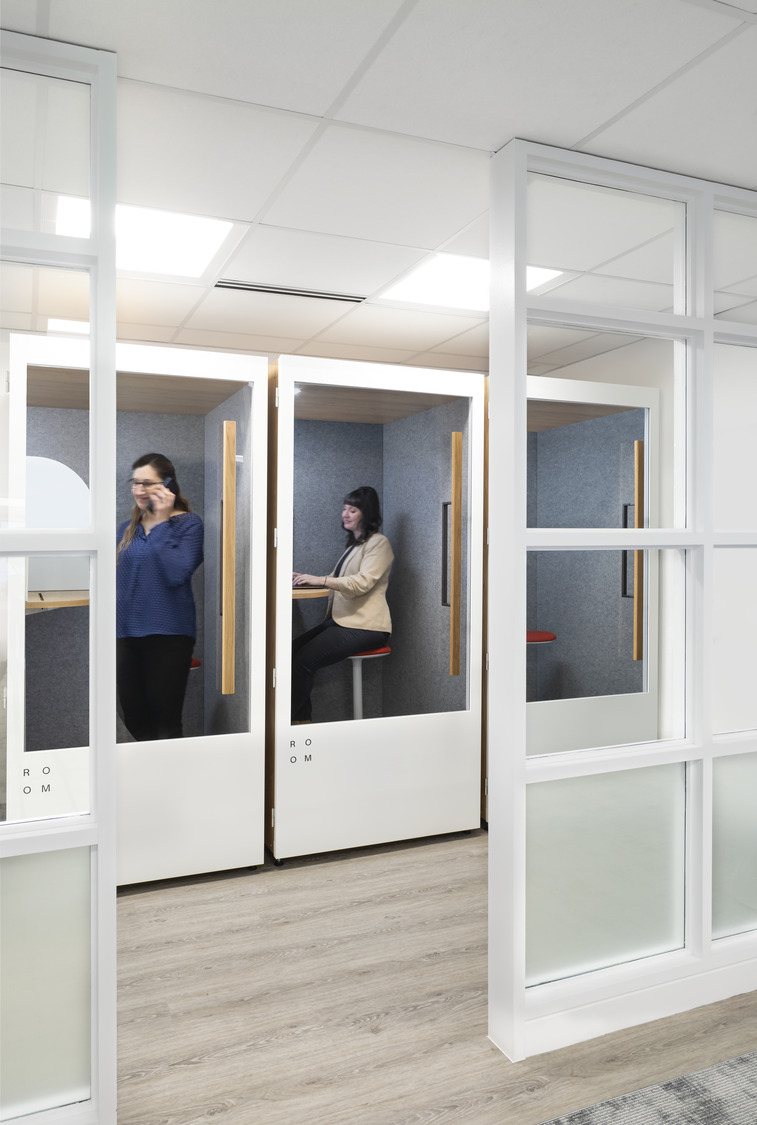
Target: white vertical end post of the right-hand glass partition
x=507 y=605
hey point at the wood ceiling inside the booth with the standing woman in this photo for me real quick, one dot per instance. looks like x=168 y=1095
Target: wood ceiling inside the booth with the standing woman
x=151 y=394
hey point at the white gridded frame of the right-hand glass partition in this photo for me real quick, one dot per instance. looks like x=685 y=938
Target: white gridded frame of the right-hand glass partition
x=525 y=1023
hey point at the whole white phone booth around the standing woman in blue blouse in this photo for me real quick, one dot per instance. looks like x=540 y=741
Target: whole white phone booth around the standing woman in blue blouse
x=186 y=805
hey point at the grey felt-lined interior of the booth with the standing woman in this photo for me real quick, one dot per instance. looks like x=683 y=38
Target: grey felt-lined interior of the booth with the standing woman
x=183 y=418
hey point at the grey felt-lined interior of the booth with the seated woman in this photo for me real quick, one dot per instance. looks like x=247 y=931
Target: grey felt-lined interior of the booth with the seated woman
x=400 y=443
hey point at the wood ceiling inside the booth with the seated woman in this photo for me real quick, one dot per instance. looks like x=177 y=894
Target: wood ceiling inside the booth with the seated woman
x=318 y=403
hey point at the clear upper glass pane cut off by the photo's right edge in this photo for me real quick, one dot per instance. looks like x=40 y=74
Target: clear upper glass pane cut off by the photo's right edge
x=736 y=267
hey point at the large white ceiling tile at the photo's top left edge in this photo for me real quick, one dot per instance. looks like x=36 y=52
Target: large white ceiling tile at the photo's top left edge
x=292 y=53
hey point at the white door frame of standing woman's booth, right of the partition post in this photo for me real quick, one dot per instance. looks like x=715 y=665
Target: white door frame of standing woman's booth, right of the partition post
x=196 y=805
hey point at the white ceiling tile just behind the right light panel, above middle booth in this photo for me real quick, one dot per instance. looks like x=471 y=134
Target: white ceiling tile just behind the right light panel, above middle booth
x=395 y=328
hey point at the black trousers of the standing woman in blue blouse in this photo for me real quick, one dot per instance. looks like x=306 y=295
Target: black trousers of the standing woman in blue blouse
x=151 y=674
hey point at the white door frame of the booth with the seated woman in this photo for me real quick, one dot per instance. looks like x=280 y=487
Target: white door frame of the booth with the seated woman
x=401 y=777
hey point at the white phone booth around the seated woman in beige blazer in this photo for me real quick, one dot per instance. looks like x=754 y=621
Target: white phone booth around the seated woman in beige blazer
x=393 y=748
